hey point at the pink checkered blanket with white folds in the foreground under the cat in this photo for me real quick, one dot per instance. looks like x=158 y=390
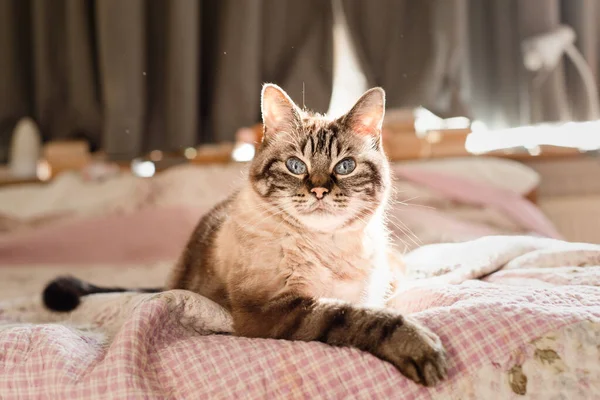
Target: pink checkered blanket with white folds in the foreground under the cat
x=519 y=316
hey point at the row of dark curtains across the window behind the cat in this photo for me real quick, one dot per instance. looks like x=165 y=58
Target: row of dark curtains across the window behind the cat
x=130 y=77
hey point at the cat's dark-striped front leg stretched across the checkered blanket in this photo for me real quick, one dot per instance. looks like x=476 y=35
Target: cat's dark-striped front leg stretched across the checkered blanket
x=413 y=349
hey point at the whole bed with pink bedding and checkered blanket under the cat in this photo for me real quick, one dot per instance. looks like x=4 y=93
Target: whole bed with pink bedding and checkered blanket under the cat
x=515 y=305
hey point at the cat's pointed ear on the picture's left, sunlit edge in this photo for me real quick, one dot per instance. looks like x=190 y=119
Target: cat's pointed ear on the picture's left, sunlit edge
x=279 y=112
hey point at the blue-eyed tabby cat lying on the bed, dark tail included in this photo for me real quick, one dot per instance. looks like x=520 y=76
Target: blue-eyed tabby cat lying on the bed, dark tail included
x=301 y=252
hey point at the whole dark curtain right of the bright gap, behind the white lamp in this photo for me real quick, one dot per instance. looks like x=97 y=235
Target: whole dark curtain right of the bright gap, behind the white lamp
x=464 y=57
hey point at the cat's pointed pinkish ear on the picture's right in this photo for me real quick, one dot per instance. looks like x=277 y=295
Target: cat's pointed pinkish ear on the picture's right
x=366 y=117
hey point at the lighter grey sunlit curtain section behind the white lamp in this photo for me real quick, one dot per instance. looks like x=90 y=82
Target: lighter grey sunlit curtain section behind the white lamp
x=501 y=92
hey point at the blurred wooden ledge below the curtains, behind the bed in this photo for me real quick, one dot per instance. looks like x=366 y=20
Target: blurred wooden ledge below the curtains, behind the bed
x=400 y=138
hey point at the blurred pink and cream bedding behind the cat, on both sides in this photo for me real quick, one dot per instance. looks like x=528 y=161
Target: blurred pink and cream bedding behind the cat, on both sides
x=127 y=220
